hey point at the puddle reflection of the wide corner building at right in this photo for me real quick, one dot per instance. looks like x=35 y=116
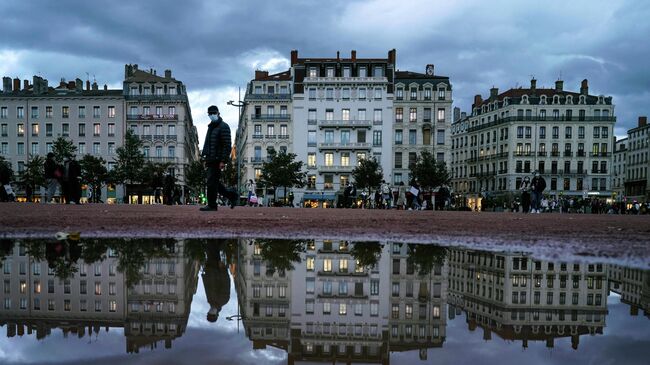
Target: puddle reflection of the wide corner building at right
x=519 y=298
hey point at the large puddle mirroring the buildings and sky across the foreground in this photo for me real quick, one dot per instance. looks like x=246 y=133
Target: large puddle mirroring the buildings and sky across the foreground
x=255 y=301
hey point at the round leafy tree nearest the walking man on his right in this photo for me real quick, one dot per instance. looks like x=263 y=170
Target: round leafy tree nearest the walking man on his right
x=282 y=170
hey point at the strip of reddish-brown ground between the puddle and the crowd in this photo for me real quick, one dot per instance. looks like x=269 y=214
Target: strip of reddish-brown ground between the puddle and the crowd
x=605 y=237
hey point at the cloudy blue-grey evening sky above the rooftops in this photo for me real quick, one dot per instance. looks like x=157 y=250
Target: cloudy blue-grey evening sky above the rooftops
x=215 y=46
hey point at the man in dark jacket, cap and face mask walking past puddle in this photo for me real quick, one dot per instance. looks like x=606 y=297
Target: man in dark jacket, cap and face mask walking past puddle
x=216 y=151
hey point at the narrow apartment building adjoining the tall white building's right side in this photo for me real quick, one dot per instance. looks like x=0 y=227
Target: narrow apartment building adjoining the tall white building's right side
x=422 y=119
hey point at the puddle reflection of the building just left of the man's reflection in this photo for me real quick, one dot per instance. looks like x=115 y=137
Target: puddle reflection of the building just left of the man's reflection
x=158 y=306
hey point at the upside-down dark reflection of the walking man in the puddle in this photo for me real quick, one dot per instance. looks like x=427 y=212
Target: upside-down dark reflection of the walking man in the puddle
x=216 y=280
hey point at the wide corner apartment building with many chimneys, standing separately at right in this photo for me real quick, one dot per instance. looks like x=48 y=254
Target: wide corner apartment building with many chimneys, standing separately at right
x=566 y=136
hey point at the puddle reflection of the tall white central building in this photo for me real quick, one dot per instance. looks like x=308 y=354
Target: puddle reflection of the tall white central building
x=338 y=307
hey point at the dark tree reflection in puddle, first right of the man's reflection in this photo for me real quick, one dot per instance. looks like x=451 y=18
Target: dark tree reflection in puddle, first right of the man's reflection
x=280 y=255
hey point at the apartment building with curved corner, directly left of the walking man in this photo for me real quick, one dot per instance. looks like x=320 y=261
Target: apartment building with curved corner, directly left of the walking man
x=158 y=112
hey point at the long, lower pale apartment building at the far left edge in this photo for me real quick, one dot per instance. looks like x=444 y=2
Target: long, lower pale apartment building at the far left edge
x=34 y=115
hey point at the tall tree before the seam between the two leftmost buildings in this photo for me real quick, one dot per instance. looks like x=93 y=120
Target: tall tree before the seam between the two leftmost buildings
x=129 y=161
